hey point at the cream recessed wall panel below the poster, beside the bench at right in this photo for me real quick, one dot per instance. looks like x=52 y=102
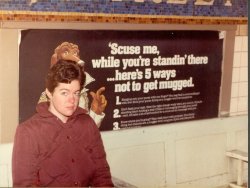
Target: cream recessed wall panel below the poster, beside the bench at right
x=191 y=163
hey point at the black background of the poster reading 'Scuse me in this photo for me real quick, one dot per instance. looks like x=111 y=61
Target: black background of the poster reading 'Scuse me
x=130 y=108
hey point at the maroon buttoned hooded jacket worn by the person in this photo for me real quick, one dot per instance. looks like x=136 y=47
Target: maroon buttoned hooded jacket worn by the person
x=48 y=152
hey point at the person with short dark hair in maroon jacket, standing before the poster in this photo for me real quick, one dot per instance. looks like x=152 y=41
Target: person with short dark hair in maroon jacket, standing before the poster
x=60 y=146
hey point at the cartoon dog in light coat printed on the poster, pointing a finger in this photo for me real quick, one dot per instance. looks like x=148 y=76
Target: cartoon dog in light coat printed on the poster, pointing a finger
x=70 y=51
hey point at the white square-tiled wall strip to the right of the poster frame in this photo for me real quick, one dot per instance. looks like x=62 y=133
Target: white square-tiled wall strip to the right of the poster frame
x=239 y=94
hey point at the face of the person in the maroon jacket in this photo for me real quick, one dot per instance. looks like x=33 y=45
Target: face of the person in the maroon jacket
x=64 y=100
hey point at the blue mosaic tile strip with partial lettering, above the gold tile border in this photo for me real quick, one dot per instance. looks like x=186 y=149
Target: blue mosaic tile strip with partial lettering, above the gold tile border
x=237 y=8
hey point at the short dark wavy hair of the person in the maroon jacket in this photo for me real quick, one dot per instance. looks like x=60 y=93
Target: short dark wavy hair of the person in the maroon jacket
x=64 y=71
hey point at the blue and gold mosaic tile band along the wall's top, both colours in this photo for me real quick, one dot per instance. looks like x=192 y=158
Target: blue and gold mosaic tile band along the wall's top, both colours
x=126 y=11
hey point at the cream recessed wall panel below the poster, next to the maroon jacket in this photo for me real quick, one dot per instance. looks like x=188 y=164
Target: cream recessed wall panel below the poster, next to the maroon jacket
x=130 y=162
